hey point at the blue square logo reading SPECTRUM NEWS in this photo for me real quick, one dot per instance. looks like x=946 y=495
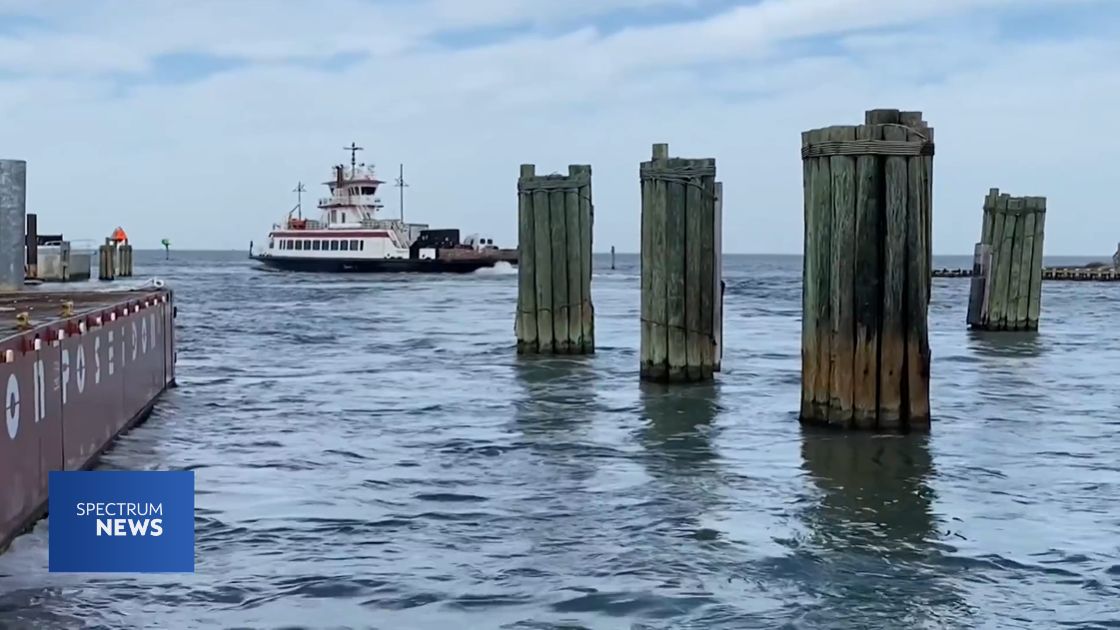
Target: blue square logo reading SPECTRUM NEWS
x=123 y=522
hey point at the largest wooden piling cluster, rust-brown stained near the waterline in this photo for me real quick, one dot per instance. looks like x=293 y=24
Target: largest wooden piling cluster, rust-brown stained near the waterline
x=866 y=280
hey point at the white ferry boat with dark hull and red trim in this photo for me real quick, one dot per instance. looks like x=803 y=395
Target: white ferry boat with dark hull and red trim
x=350 y=236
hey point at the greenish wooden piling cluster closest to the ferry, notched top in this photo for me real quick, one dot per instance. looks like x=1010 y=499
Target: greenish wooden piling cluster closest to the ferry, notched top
x=556 y=216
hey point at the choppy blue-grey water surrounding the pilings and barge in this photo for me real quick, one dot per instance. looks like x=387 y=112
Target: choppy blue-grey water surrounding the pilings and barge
x=371 y=453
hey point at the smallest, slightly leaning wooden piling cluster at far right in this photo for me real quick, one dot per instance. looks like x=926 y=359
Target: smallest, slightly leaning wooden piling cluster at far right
x=1007 y=280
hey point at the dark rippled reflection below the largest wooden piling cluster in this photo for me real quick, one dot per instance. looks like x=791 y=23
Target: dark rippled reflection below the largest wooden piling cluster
x=875 y=520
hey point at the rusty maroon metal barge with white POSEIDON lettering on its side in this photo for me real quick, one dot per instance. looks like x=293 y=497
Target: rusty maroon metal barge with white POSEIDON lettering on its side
x=91 y=370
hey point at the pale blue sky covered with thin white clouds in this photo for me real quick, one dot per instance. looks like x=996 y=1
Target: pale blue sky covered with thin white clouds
x=194 y=121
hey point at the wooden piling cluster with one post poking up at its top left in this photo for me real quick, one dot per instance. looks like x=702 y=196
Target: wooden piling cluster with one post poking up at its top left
x=682 y=273
